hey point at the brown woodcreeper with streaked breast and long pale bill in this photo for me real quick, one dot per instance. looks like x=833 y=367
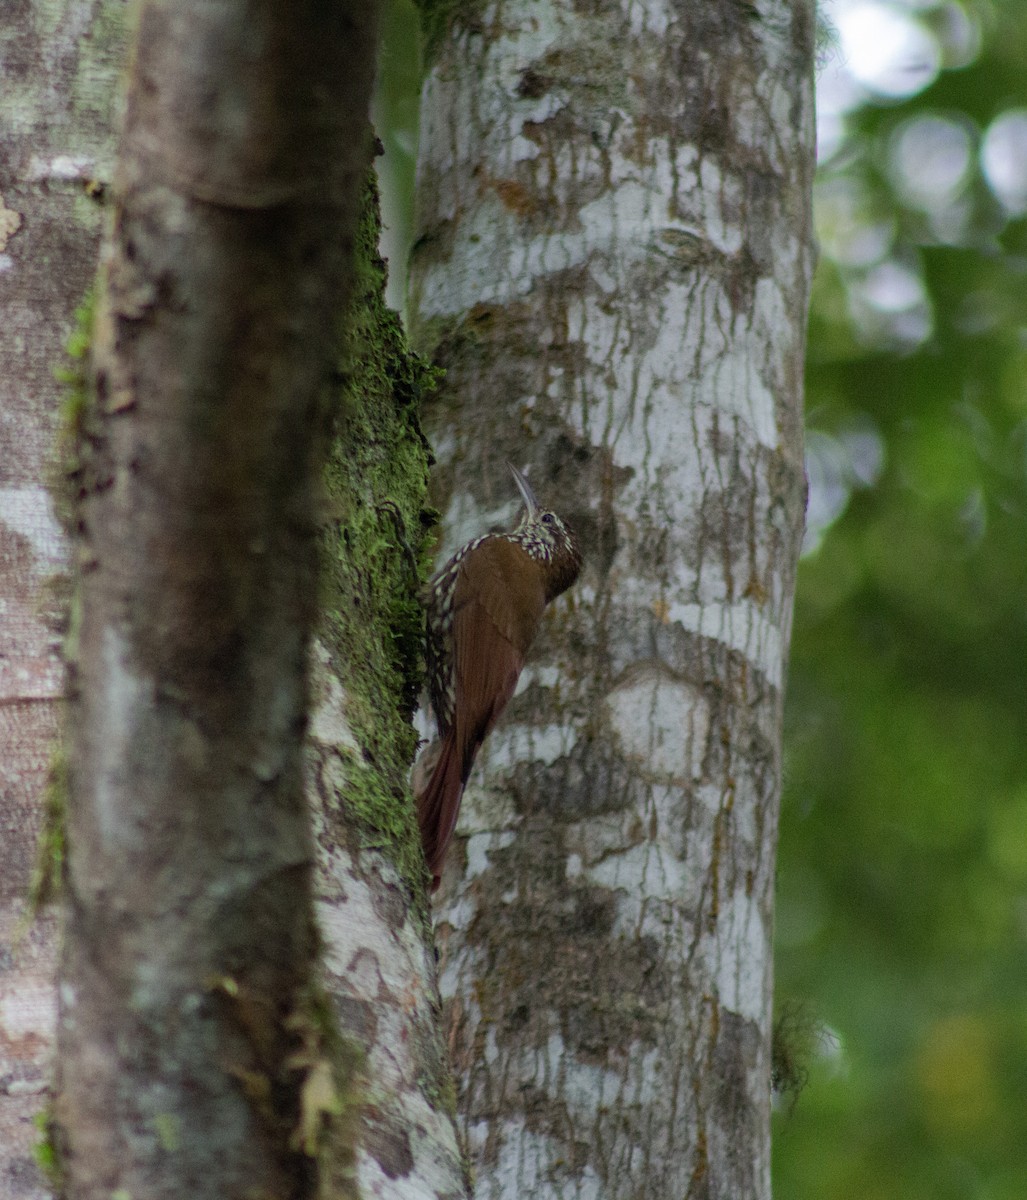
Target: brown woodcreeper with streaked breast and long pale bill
x=483 y=611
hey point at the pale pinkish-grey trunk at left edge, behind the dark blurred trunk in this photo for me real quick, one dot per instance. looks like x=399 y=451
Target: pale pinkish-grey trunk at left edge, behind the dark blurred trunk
x=61 y=63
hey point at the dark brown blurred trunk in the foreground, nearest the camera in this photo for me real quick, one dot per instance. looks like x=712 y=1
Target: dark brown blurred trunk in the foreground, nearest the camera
x=194 y=1058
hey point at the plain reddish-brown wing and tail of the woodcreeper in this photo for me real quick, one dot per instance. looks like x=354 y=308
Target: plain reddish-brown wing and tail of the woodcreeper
x=499 y=602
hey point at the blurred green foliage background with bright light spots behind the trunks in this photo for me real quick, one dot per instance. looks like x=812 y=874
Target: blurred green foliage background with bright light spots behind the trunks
x=903 y=878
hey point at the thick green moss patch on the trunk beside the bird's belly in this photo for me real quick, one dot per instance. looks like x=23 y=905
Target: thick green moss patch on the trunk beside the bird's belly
x=376 y=555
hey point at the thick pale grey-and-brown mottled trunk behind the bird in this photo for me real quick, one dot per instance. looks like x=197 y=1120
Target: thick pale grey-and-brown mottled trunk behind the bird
x=614 y=262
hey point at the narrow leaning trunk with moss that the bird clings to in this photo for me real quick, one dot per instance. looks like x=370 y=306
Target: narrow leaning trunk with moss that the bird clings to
x=370 y=884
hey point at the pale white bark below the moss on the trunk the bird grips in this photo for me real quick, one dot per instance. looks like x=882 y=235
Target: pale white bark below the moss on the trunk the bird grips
x=381 y=973
